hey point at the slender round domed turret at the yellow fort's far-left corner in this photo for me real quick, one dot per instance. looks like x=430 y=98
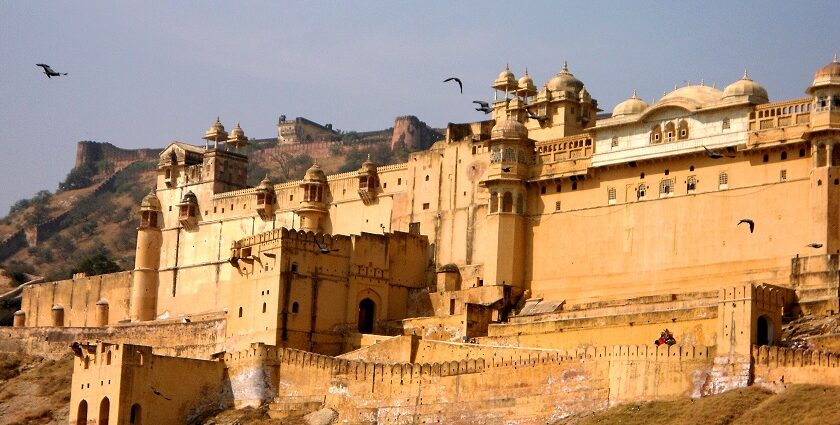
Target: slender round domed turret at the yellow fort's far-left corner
x=143 y=298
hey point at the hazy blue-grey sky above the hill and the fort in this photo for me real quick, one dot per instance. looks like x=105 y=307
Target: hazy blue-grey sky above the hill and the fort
x=142 y=74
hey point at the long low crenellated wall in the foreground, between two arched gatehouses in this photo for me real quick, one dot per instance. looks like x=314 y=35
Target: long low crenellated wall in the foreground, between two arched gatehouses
x=550 y=384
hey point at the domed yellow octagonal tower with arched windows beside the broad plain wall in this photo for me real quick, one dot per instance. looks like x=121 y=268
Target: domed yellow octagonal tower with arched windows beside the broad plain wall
x=510 y=152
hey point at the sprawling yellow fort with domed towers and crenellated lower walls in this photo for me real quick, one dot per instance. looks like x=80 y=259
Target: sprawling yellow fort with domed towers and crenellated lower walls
x=518 y=271
